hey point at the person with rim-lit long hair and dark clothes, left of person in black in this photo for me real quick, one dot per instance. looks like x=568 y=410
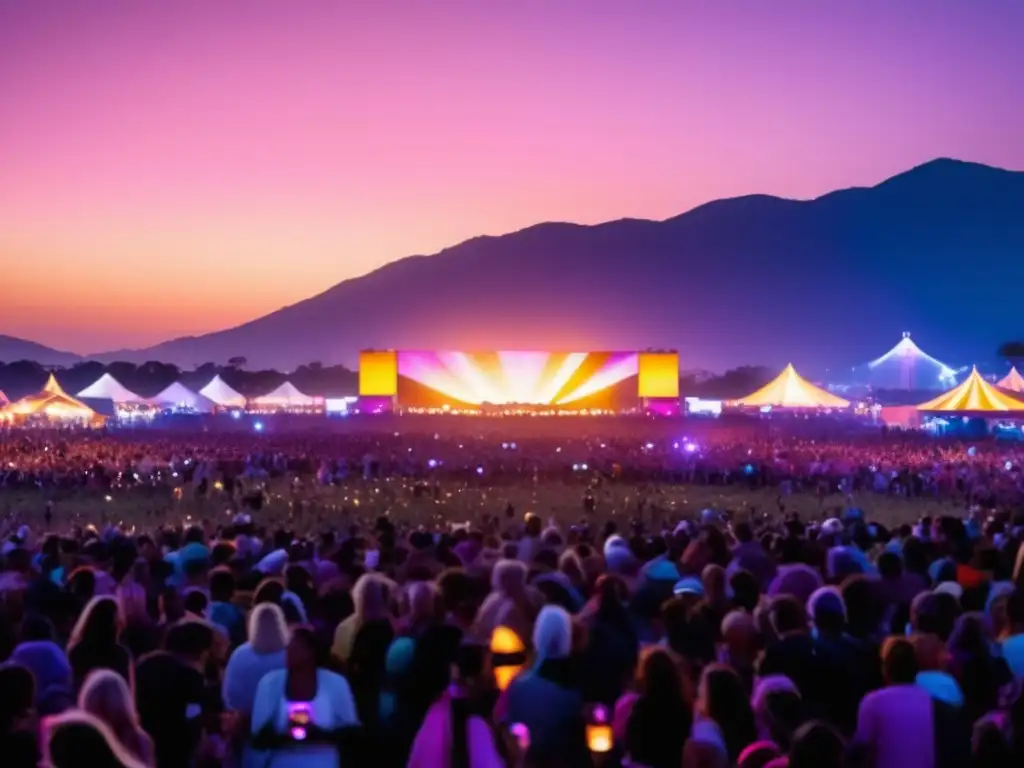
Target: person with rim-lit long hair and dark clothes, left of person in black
x=95 y=643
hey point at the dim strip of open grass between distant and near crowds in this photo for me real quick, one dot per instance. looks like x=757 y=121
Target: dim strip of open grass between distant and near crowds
x=317 y=508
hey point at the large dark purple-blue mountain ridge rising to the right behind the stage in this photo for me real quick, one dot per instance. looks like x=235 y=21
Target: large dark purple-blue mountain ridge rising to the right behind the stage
x=938 y=250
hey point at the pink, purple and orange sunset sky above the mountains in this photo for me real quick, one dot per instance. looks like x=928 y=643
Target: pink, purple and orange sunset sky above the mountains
x=174 y=168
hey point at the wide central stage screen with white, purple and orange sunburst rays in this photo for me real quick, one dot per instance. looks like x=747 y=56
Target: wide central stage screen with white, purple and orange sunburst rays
x=568 y=381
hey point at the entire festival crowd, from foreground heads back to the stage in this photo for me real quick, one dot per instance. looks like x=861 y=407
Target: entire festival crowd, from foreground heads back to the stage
x=515 y=637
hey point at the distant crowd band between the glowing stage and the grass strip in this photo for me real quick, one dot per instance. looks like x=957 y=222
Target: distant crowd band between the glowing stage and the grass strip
x=794 y=456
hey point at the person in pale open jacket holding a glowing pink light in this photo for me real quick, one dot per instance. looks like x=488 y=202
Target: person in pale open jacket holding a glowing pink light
x=302 y=714
